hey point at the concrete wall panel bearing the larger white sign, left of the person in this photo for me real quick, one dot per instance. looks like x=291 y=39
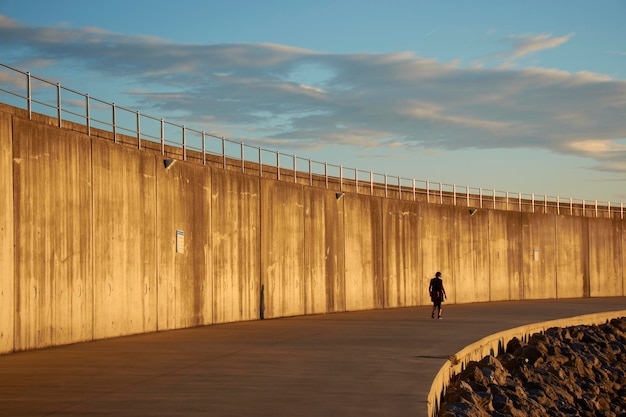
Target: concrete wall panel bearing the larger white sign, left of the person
x=183 y=213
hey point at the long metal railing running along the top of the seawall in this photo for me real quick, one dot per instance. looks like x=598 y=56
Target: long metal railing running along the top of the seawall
x=72 y=109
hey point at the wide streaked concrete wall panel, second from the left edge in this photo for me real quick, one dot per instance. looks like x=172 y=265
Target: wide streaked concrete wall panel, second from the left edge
x=53 y=256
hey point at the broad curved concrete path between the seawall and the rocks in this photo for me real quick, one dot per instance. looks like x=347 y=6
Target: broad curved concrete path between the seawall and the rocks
x=370 y=363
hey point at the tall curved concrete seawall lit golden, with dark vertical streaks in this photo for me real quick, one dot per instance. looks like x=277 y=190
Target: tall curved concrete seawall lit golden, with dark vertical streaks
x=98 y=239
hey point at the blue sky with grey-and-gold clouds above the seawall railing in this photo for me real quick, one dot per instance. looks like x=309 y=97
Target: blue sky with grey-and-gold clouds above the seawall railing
x=519 y=96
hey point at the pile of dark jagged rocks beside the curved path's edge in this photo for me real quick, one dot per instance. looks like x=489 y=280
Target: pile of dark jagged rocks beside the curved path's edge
x=574 y=371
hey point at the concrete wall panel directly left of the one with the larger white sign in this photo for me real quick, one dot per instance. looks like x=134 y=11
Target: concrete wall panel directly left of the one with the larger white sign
x=124 y=230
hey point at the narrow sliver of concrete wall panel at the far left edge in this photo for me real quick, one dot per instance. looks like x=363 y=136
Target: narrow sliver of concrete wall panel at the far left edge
x=7 y=286
